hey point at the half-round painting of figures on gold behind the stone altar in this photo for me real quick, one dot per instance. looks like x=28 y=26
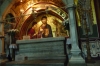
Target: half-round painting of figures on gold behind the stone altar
x=46 y=26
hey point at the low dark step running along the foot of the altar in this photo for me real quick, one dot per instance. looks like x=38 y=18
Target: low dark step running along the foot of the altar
x=41 y=61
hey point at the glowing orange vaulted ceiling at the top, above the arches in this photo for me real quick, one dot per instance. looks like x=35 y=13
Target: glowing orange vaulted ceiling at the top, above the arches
x=25 y=4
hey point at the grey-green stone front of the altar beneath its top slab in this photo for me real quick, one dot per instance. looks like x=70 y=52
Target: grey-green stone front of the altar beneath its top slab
x=43 y=50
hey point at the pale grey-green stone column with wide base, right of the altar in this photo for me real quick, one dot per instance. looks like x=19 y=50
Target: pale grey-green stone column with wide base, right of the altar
x=76 y=59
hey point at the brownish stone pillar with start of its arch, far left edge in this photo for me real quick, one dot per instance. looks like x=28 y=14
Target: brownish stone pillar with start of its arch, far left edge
x=3 y=7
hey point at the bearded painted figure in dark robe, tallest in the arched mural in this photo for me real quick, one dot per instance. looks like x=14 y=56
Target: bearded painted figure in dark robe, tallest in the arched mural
x=45 y=29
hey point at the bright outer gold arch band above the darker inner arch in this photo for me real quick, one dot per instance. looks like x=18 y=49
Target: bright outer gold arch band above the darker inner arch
x=29 y=12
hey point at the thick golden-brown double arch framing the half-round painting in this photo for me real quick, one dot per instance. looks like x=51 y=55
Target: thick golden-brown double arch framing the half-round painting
x=26 y=20
